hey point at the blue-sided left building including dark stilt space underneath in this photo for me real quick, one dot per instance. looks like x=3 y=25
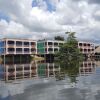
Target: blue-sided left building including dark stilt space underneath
x=17 y=49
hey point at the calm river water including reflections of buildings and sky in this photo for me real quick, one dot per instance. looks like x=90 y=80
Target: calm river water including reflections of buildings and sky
x=47 y=81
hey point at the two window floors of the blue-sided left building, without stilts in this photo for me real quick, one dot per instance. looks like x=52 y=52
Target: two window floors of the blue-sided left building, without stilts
x=17 y=46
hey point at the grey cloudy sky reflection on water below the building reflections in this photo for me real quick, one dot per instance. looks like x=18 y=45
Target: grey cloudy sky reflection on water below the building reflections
x=86 y=88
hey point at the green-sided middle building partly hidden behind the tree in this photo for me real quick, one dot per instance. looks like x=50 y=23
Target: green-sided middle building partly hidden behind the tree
x=48 y=46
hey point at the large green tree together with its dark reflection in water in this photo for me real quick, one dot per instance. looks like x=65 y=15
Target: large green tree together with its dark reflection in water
x=69 y=56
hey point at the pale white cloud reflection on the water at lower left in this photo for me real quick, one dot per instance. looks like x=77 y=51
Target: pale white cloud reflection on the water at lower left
x=18 y=87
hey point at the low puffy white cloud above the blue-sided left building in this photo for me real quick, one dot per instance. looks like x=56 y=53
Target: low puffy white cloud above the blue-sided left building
x=13 y=29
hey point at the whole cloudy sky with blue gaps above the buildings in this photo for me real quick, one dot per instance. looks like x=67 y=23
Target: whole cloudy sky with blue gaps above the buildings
x=39 y=19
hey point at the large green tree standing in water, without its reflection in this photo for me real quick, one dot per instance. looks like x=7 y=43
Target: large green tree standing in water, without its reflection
x=69 y=51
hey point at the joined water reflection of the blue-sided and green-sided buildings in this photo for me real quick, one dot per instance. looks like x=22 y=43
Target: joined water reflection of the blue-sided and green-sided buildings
x=30 y=70
